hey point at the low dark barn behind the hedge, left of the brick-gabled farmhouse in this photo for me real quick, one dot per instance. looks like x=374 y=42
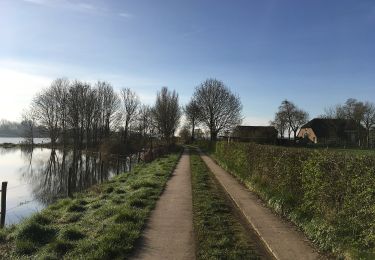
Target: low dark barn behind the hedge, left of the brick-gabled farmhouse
x=258 y=134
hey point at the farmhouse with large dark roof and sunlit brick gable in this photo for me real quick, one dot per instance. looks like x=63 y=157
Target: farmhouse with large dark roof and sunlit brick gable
x=339 y=132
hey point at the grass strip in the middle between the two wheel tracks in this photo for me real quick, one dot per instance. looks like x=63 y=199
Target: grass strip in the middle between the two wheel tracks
x=219 y=234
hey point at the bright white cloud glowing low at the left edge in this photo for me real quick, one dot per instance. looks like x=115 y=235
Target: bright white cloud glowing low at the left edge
x=17 y=90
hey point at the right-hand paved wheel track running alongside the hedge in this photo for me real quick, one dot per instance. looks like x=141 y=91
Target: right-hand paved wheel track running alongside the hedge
x=281 y=238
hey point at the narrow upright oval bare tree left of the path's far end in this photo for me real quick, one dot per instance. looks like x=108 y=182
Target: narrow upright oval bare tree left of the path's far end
x=167 y=113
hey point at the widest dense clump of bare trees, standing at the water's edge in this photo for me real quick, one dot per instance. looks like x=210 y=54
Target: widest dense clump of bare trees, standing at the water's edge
x=75 y=112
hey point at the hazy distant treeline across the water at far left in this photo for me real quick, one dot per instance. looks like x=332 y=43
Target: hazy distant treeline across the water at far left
x=15 y=129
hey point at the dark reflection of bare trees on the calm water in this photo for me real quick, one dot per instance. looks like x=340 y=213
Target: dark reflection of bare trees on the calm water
x=68 y=171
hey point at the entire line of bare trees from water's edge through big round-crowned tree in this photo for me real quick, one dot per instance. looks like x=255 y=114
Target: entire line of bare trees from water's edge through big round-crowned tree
x=84 y=115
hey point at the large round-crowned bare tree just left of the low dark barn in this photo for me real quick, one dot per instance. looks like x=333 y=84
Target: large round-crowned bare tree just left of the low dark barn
x=219 y=108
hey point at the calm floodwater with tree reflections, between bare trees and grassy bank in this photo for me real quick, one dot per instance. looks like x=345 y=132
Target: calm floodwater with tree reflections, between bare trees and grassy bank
x=38 y=177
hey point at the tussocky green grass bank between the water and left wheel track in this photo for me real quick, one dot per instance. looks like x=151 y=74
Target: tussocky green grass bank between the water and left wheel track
x=102 y=223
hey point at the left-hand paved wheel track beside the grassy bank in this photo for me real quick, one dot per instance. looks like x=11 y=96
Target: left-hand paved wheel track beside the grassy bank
x=169 y=232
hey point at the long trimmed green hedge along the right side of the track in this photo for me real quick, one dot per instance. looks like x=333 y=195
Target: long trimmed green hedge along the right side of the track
x=329 y=194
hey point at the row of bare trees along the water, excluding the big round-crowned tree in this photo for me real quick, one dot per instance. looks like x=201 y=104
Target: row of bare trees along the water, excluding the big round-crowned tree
x=84 y=115
